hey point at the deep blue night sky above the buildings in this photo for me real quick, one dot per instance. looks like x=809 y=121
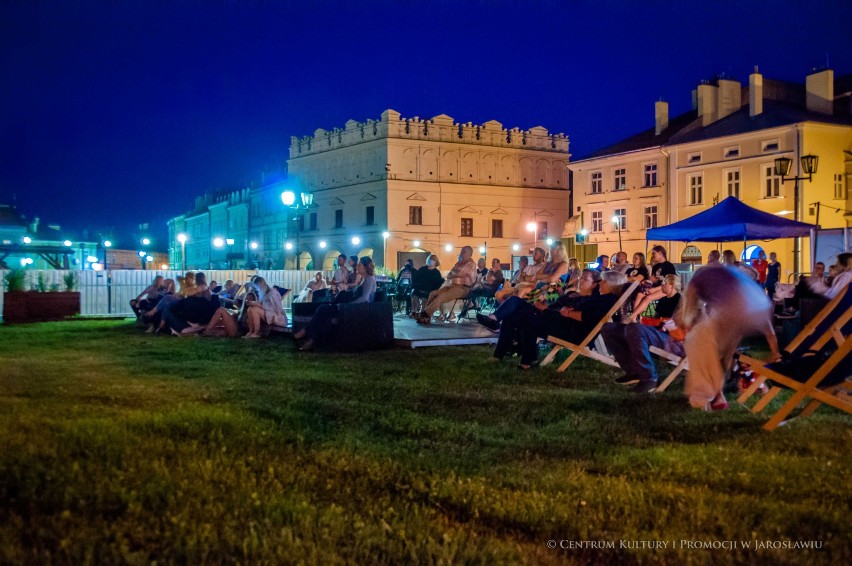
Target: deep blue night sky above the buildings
x=116 y=113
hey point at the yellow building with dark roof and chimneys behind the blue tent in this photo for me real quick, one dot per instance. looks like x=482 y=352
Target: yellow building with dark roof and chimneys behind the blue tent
x=726 y=145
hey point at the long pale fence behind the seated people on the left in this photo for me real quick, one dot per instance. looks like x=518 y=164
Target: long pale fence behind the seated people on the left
x=108 y=293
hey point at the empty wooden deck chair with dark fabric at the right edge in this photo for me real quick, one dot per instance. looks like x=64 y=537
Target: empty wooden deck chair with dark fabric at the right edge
x=832 y=324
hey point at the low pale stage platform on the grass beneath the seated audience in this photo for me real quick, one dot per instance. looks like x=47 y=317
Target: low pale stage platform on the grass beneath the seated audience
x=409 y=334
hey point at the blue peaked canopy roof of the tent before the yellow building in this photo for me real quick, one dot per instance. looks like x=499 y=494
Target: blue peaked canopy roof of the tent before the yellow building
x=730 y=221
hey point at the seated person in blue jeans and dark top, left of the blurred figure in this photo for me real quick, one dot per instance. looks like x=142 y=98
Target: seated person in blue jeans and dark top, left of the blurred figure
x=629 y=343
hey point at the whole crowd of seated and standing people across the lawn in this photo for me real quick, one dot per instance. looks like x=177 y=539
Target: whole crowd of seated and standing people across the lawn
x=551 y=295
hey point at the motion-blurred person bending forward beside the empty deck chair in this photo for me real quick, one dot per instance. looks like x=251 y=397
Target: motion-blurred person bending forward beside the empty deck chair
x=721 y=306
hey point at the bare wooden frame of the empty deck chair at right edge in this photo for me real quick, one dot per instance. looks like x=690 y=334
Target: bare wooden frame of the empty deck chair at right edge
x=809 y=388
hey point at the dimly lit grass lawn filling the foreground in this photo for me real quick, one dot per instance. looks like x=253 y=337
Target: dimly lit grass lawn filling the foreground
x=119 y=447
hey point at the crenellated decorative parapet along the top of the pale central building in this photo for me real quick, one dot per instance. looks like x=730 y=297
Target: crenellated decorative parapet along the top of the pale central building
x=441 y=128
